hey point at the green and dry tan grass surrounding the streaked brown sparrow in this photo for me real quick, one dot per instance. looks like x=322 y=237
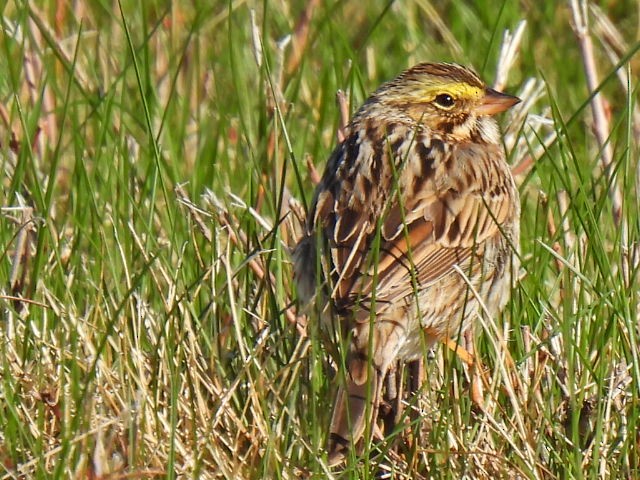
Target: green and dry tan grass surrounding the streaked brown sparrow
x=150 y=343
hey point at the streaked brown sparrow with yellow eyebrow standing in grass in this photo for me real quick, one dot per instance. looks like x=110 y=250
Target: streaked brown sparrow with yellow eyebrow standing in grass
x=413 y=226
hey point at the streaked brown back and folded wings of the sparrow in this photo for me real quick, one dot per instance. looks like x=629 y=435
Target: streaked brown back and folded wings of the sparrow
x=395 y=226
